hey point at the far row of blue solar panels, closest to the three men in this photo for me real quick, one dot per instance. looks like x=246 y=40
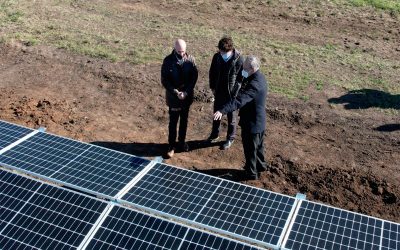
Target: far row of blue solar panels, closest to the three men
x=222 y=206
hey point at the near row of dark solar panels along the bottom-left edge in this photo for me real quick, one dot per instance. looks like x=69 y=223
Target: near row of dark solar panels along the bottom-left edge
x=36 y=215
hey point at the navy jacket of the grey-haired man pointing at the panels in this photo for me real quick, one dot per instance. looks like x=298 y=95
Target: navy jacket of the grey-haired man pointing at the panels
x=251 y=102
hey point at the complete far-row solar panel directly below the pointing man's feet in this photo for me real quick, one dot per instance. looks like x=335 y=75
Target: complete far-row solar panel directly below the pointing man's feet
x=220 y=205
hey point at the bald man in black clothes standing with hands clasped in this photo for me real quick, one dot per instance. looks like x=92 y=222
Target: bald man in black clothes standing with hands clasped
x=178 y=76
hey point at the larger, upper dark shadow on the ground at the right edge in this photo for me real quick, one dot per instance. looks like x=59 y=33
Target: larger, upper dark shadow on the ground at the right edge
x=367 y=98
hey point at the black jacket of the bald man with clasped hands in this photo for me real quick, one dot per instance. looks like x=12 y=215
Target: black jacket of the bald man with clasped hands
x=182 y=77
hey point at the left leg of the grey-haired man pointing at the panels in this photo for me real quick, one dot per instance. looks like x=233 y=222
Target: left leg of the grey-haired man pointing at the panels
x=250 y=153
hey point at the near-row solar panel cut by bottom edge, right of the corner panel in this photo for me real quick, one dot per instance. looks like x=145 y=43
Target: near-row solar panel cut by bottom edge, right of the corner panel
x=128 y=229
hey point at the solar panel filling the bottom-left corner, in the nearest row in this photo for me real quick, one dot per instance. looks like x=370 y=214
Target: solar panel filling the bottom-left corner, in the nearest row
x=44 y=216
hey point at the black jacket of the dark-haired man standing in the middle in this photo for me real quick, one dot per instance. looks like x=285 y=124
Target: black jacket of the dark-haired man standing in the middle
x=222 y=77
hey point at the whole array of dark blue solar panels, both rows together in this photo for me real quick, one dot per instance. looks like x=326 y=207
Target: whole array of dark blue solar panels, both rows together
x=233 y=209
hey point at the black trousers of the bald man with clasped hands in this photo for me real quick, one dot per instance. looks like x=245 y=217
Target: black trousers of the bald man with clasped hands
x=175 y=115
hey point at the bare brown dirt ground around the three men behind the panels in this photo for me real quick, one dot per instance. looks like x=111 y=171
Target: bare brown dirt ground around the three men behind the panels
x=335 y=148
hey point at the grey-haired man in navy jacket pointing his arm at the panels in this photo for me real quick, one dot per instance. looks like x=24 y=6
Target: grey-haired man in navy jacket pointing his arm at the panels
x=251 y=102
